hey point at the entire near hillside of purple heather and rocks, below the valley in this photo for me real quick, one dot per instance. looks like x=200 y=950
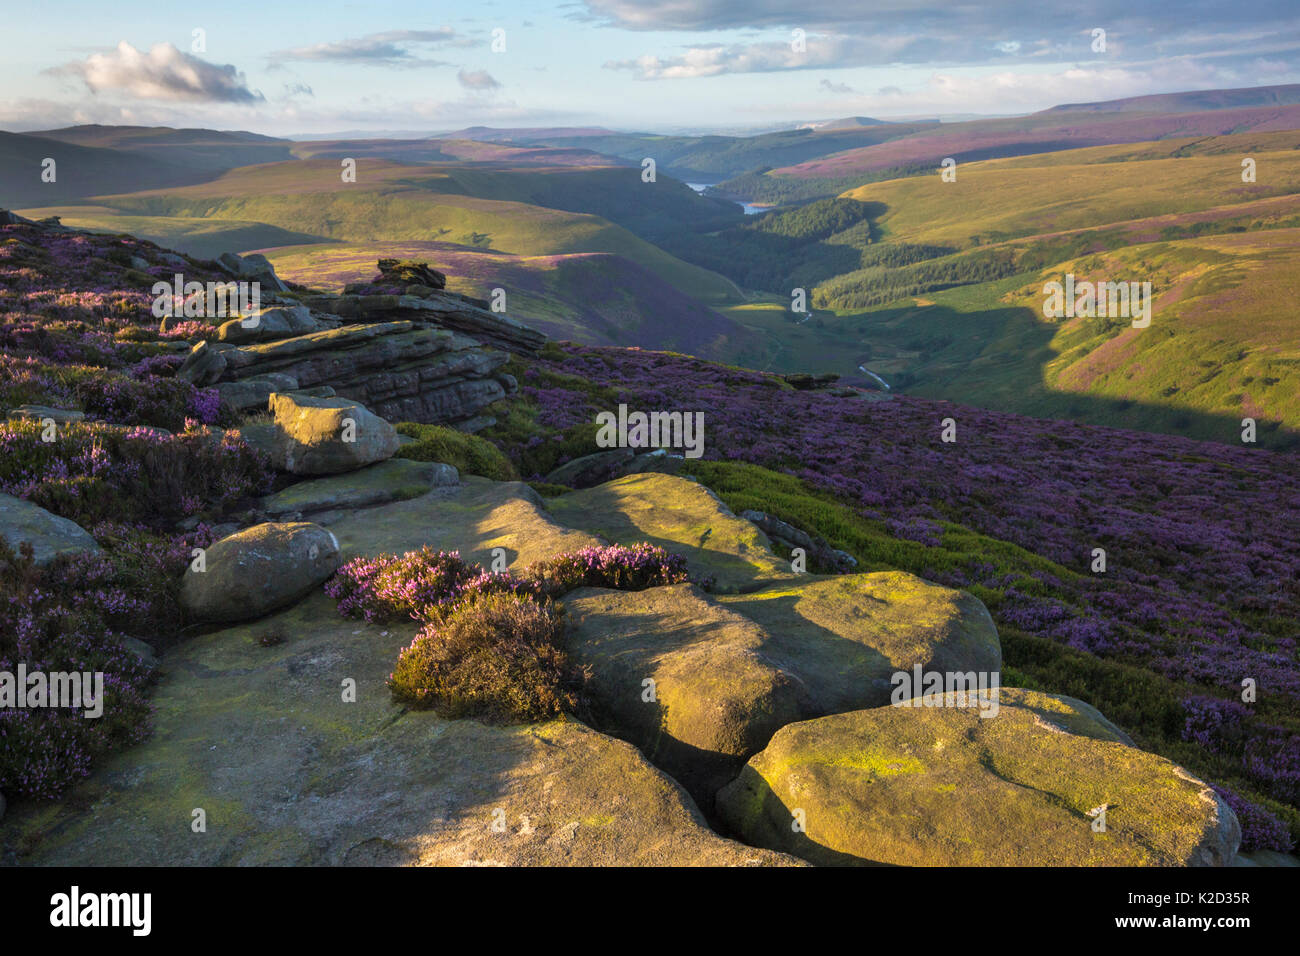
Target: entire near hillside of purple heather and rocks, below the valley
x=969 y=534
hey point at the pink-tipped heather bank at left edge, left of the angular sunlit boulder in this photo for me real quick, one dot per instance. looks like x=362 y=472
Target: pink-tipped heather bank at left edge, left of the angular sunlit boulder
x=92 y=473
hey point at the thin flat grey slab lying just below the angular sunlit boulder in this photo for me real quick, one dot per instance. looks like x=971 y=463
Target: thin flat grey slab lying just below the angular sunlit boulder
x=396 y=479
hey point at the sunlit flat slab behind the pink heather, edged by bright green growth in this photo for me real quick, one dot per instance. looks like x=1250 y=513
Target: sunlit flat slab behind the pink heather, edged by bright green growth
x=682 y=517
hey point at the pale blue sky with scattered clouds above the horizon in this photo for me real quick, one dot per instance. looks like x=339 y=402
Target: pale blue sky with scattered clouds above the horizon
x=289 y=68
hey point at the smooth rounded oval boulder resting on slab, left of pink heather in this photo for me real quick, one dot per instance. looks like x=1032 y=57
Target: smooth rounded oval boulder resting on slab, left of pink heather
x=259 y=570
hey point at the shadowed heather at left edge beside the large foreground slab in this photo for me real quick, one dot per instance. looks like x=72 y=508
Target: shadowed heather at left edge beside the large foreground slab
x=73 y=616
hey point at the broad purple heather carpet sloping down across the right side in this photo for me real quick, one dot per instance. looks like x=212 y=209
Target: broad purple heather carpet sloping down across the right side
x=1203 y=578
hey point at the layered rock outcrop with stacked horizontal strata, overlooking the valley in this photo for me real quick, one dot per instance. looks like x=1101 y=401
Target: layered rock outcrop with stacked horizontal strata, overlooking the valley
x=404 y=345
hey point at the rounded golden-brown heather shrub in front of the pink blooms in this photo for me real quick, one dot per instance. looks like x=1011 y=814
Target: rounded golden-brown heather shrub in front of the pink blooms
x=497 y=657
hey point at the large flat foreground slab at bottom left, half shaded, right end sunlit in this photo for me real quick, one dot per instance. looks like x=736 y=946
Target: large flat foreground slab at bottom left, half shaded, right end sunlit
x=289 y=775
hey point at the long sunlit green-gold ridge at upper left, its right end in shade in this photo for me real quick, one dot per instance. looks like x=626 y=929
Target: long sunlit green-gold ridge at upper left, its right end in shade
x=521 y=213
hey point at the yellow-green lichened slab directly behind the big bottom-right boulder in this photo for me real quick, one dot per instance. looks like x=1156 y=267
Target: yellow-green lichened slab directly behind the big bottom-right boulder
x=847 y=637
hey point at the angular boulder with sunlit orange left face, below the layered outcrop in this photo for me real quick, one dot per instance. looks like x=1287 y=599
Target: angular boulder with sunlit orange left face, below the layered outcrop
x=327 y=436
